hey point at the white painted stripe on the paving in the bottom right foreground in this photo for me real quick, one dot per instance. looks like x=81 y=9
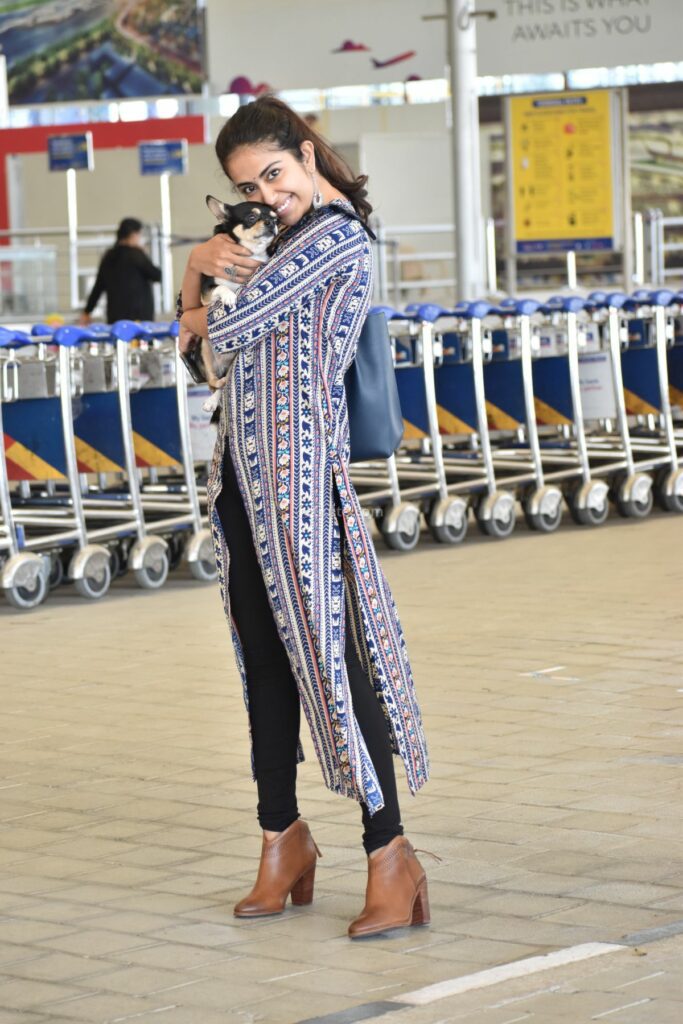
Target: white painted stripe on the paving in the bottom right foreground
x=519 y=969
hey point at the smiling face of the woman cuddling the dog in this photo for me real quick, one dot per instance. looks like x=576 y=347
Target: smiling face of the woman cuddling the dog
x=266 y=175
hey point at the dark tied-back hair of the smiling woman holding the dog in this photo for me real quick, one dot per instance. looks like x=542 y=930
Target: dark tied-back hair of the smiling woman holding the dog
x=270 y=120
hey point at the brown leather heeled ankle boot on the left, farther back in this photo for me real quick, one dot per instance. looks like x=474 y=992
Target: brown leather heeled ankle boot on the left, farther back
x=287 y=867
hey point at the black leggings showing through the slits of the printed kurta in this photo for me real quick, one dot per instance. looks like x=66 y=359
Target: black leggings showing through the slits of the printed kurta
x=274 y=698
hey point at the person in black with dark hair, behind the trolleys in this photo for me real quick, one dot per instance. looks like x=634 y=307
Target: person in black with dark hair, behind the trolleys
x=125 y=274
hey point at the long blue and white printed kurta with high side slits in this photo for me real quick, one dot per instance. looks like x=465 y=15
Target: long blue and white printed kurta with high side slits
x=294 y=333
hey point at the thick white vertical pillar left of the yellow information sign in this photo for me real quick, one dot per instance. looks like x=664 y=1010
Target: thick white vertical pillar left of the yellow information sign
x=471 y=273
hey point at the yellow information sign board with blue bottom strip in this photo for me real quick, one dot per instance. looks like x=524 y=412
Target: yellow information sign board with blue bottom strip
x=562 y=156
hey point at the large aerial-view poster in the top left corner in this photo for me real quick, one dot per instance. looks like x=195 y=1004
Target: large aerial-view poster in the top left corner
x=66 y=51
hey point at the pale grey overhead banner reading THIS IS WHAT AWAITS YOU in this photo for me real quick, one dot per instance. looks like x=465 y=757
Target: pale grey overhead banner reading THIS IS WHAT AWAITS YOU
x=529 y=37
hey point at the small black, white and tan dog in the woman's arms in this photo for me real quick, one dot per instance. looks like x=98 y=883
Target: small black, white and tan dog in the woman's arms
x=254 y=226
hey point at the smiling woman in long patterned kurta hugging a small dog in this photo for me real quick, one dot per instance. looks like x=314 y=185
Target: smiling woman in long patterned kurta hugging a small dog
x=314 y=622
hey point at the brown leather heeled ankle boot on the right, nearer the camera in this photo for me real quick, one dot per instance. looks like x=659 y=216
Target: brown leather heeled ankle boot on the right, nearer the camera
x=397 y=893
